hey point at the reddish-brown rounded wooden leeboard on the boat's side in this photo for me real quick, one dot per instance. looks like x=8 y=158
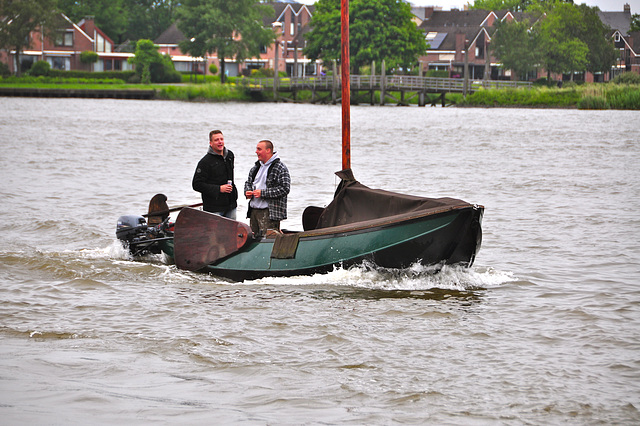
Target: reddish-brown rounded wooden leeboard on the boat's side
x=201 y=238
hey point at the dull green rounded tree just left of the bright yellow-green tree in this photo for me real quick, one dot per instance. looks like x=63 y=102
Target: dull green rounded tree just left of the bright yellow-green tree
x=515 y=45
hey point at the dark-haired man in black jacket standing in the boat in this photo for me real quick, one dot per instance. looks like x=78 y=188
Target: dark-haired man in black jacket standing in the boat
x=214 y=178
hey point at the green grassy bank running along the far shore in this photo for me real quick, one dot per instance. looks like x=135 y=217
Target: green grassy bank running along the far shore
x=587 y=96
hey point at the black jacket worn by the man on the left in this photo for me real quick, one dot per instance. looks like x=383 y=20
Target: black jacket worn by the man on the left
x=214 y=170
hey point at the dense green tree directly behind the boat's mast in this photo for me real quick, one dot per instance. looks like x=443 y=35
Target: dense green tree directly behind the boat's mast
x=378 y=30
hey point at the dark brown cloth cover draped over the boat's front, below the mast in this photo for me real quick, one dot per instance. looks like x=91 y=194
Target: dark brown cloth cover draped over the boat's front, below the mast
x=355 y=202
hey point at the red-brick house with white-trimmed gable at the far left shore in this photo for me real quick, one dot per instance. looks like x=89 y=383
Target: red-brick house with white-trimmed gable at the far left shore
x=63 y=51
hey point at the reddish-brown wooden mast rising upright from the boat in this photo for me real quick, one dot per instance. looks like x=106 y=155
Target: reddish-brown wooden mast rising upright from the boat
x=346 y=87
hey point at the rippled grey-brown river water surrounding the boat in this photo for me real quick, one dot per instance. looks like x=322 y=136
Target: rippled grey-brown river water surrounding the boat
x=543 y=329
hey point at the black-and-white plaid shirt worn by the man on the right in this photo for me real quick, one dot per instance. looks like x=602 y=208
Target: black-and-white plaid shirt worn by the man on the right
x=278 y=186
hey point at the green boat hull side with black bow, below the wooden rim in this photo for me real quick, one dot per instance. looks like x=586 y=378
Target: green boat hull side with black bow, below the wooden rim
x=449 y=237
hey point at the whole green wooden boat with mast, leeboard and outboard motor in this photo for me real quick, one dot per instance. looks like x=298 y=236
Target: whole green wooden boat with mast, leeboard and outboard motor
x=388 y=229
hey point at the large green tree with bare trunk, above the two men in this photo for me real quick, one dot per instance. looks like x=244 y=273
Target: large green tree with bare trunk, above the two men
x=232 y=29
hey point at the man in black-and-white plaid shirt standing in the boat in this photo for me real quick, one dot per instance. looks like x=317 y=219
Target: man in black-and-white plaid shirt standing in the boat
x=267 y=187
